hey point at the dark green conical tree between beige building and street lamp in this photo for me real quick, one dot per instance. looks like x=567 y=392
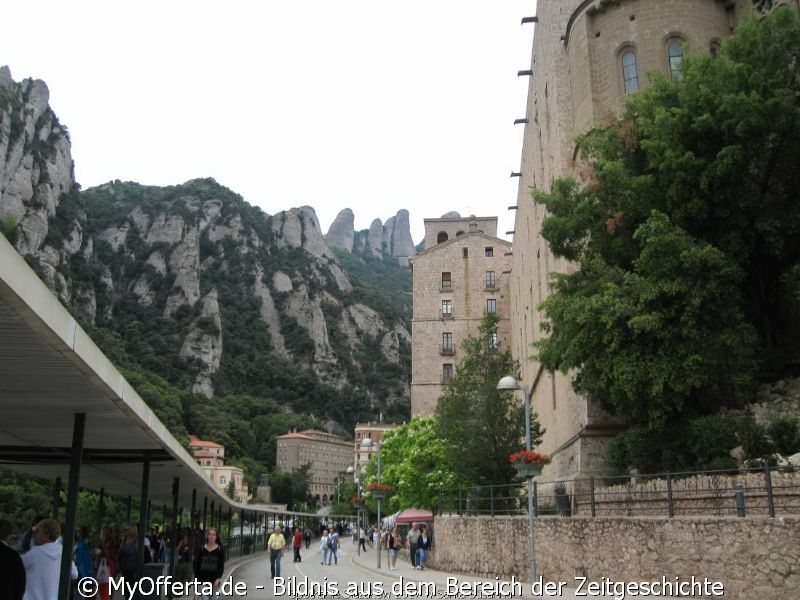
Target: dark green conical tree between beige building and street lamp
x=481 y=426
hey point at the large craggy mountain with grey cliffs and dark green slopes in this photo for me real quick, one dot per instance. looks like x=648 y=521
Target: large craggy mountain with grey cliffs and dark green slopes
x=202 y=297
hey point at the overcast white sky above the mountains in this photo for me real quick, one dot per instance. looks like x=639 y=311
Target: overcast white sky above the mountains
x=364 y=104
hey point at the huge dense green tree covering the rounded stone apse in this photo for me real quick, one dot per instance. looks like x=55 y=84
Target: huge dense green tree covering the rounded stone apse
x=685 y=232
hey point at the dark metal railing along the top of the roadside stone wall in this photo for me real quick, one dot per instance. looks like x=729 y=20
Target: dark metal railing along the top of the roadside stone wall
x=745 y=492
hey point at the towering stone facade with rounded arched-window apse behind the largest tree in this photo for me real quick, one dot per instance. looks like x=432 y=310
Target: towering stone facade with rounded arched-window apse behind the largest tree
x=588 y=55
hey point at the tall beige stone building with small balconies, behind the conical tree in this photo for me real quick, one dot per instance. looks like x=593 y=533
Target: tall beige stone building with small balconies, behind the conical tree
x=462 y=274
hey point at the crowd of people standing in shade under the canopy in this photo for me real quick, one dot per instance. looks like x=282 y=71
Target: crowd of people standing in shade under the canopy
x=32 y=569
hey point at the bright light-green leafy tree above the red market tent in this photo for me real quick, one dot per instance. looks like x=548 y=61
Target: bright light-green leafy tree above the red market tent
x=414 y=463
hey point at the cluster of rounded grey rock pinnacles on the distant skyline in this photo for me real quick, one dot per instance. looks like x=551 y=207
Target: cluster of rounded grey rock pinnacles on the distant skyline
x=393 y=238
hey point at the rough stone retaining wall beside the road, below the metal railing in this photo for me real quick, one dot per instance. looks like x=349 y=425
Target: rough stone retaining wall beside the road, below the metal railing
x=752 y=557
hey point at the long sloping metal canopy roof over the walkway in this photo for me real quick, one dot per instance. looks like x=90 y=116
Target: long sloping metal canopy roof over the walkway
x=50 y=370
